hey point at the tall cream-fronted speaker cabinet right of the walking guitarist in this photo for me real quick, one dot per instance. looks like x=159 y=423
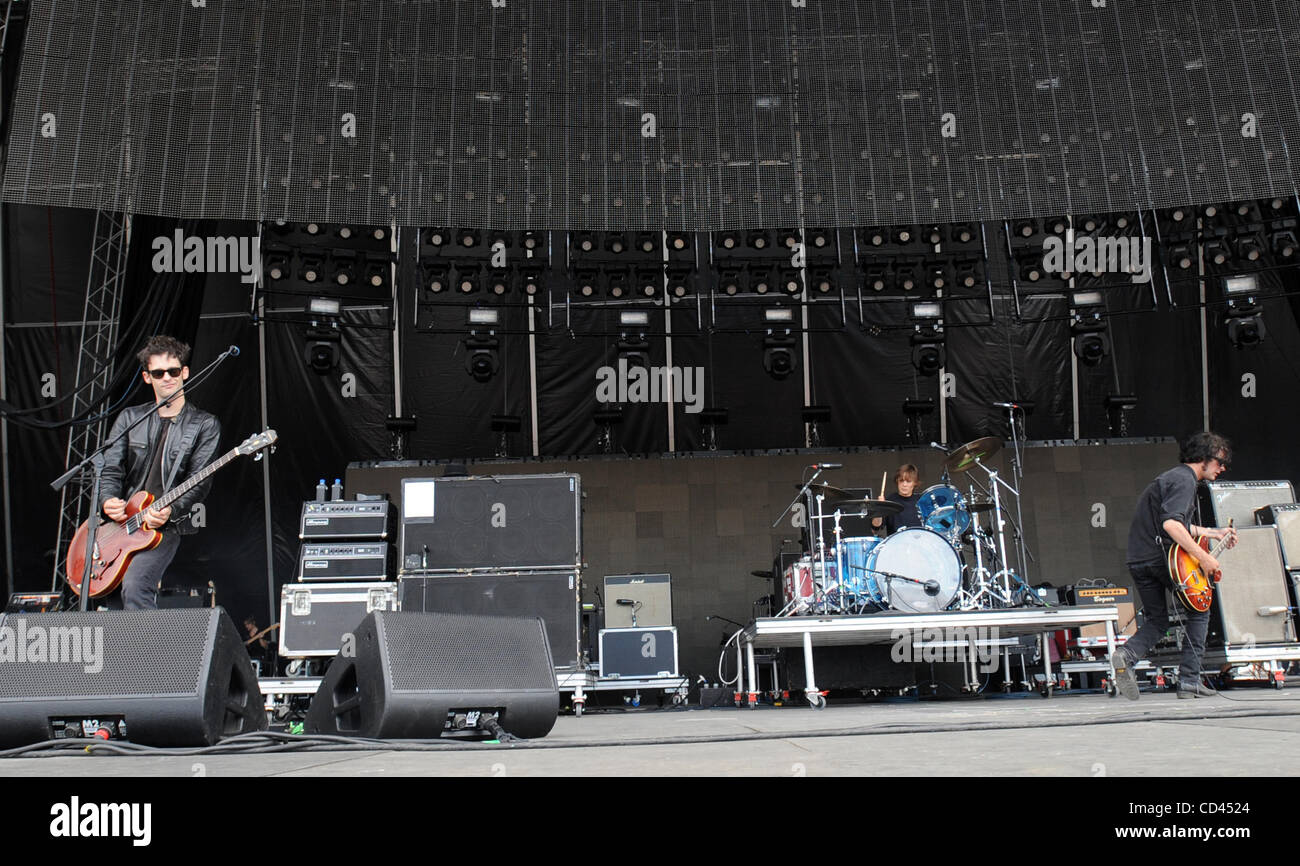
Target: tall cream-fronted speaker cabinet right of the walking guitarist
x=1254 y=581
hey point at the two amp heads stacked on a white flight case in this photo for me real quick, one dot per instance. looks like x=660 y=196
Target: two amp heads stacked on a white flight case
x=345 y=573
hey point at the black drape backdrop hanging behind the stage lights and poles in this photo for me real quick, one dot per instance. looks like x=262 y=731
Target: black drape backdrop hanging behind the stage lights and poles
x=328 y=421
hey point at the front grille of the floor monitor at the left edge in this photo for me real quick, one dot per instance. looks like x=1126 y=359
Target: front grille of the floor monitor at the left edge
x=124 y=640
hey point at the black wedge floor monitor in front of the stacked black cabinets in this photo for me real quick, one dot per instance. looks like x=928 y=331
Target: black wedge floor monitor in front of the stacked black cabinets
x=421 y=676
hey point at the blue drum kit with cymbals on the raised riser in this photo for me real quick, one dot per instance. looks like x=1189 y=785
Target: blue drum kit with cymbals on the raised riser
x=951 y=562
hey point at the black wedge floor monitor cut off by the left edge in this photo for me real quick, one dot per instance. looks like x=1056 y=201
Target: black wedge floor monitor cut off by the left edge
x=163 y=678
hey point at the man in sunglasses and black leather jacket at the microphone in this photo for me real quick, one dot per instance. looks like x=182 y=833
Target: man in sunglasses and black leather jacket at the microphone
x=158 y=456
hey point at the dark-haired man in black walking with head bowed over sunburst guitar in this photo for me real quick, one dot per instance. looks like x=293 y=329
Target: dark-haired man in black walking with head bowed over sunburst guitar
x=1164 y=519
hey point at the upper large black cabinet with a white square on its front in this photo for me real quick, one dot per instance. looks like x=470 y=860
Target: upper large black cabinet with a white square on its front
x=513 y=522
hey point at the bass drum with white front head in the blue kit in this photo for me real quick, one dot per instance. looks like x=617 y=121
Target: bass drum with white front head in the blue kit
x=918 y=571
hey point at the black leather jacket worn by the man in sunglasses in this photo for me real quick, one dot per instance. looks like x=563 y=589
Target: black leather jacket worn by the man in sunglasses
x=189 y=449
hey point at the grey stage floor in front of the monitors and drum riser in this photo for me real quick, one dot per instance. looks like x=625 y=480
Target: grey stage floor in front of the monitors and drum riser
x=1246 y=733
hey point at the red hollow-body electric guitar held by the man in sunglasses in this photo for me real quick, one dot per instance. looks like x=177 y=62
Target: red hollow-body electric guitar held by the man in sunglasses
x=118 y=543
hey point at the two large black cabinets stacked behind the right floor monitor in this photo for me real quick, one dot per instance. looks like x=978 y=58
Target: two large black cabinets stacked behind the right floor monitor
x=497 y=545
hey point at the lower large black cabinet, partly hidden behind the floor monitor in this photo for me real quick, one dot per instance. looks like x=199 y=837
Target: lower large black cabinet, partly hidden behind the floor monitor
x=551 y=595
